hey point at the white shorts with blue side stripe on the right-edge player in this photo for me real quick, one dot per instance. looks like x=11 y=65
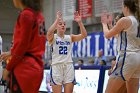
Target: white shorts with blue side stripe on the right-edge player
x=127 y=66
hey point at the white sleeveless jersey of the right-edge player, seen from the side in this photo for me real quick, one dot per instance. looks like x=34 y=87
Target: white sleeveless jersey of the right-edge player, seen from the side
x=129 y=40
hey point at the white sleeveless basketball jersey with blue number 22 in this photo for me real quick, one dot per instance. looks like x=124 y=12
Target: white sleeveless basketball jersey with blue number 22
x=61 y=49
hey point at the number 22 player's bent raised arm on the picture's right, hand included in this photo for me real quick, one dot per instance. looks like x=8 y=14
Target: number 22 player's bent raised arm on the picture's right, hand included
x=83 y=31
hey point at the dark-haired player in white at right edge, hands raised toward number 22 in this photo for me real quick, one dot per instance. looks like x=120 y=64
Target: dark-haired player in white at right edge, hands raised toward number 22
x=127 y=68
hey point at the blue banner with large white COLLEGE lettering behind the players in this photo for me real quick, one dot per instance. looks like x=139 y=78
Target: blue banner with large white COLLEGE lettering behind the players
x=90 y=46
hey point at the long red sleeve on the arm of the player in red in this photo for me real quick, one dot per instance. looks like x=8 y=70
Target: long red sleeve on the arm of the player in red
x=23 y=43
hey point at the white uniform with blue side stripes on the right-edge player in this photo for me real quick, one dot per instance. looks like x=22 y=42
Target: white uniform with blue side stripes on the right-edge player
x=128 y=58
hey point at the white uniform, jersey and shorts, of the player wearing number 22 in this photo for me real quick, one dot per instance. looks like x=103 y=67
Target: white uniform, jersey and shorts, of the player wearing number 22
x=62 y=69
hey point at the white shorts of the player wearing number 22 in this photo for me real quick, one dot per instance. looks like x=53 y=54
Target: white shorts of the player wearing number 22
x=62 y=73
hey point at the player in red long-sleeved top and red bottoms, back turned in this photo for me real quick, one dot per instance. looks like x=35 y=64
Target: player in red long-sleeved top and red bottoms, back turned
x=26 y=65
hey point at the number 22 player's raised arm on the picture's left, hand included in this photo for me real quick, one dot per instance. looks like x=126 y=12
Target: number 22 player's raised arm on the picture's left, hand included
x=51 y=30
